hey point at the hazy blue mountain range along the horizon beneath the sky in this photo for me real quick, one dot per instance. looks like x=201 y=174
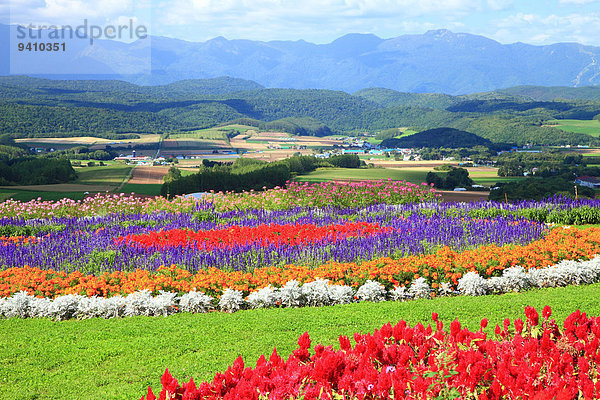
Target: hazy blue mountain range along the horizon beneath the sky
x=438 y=61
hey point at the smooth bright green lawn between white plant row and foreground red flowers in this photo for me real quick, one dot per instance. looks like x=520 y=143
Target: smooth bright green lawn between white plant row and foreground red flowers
x=119 y=358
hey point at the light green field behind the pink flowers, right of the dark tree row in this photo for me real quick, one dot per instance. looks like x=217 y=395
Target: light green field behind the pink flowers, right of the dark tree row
x=398 y=174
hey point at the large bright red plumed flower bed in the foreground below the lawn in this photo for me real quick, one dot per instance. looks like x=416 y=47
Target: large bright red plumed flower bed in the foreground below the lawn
x=524 y=360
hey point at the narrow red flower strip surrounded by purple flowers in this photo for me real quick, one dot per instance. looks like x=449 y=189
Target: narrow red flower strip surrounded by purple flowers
x=297 y=234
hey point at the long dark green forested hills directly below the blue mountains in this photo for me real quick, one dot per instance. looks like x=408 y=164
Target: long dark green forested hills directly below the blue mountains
x=32 y=107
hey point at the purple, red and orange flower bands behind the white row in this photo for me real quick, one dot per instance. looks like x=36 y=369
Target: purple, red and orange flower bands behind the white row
x=96 y=245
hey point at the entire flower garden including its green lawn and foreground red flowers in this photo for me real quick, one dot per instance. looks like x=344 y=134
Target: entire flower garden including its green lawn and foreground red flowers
x=118 y=258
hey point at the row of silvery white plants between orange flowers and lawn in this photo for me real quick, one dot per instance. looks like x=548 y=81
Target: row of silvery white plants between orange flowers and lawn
x=316 y=293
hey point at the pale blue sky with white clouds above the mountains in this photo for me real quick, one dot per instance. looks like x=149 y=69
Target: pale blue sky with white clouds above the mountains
x=322 y=21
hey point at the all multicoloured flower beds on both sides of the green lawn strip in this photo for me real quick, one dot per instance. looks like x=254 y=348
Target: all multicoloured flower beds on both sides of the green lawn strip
x=318 y=245
